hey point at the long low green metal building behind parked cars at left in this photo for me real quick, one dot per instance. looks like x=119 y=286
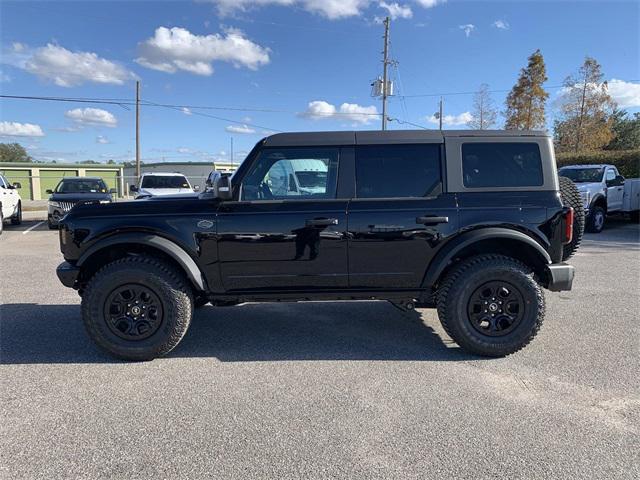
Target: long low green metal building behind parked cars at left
x=37 y=178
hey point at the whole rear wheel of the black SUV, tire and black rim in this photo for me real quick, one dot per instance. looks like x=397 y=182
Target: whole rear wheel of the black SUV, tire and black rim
x=491 y=305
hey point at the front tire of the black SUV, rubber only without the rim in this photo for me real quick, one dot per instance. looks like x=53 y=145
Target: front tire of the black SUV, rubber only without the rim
x=171 y=289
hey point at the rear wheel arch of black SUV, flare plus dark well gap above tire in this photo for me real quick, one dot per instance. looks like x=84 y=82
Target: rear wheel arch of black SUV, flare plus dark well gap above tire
x=499 y=240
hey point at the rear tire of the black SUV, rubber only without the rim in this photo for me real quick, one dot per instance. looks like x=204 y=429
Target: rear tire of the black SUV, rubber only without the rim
x=459 y=284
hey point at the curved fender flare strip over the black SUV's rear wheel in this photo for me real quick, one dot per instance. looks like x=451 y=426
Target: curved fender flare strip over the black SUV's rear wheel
x=455 y=246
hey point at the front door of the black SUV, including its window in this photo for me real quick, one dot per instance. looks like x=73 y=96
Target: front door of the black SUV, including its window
x=287 y=229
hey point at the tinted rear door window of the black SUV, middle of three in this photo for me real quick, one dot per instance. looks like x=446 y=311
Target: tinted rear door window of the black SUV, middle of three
x=387 y=171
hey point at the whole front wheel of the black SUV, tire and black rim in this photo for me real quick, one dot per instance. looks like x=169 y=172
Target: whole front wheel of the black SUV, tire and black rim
x=137 y=308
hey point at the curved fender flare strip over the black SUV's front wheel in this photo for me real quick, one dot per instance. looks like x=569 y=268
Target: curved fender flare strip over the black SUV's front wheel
x=175 y=251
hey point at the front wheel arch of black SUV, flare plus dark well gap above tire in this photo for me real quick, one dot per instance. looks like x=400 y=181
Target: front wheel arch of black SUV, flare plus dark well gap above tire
x=113 y=248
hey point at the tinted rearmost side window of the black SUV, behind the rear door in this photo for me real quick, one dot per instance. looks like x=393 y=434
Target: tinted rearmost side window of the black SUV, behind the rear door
x=501 y=165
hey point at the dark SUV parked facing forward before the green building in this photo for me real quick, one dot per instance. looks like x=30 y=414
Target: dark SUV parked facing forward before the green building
x=73 y=190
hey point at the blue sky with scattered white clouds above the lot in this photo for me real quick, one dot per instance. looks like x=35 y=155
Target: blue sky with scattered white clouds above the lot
x=309 y=63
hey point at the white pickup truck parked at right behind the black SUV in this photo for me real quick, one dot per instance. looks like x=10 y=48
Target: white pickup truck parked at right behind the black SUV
x=604 y=191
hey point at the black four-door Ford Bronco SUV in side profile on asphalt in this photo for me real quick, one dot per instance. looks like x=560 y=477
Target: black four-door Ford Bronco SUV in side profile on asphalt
x=473 y=223
